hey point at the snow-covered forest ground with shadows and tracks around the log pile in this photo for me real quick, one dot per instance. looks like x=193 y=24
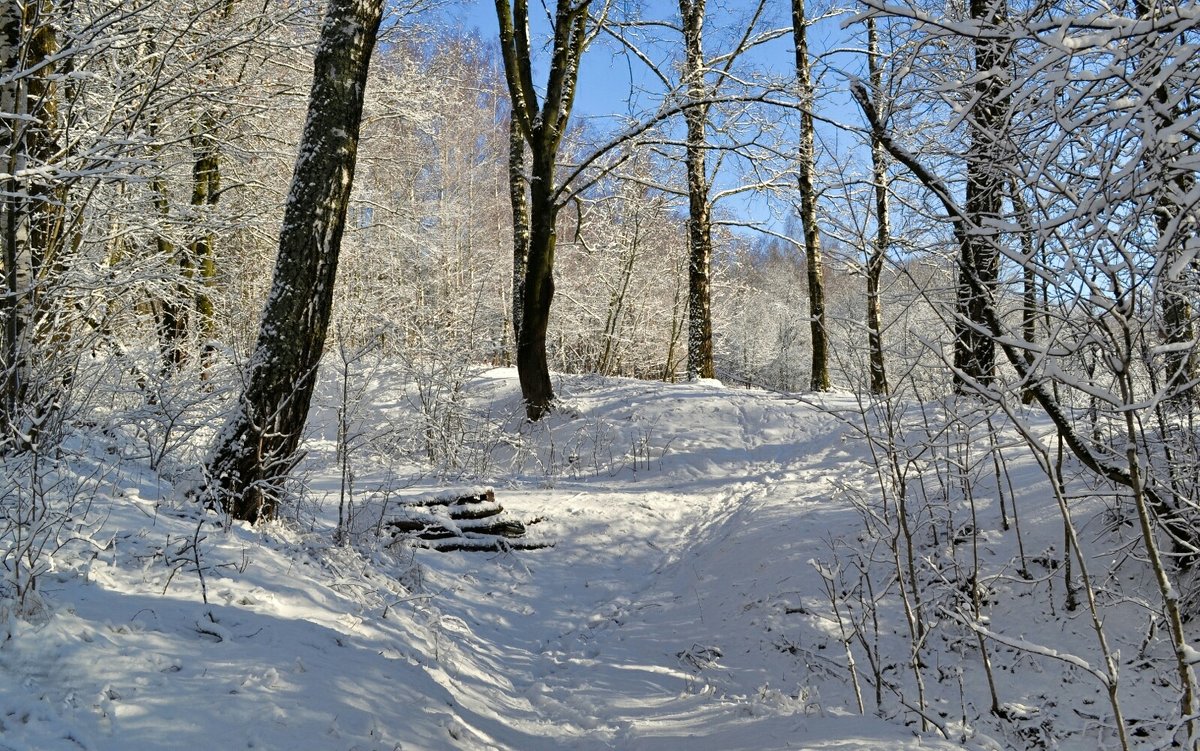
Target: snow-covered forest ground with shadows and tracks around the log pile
x=681 y=608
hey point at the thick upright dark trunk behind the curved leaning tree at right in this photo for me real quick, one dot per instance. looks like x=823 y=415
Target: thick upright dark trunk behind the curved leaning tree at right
x=975 y=353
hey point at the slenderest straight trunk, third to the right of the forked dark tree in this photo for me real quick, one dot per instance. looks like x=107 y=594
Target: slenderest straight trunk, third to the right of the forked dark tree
x=883 y=225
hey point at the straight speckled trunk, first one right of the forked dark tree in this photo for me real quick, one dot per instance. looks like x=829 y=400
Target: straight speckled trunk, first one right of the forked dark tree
x=700 y=226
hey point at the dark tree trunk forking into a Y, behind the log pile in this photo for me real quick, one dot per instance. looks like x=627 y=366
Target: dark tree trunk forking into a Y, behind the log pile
x=543 y=128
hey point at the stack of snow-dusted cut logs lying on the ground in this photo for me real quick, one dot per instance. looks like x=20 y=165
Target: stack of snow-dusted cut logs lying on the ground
x=461 y=522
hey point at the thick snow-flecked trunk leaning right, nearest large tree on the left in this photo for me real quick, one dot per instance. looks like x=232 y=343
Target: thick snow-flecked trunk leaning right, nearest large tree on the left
x=259 y=447
